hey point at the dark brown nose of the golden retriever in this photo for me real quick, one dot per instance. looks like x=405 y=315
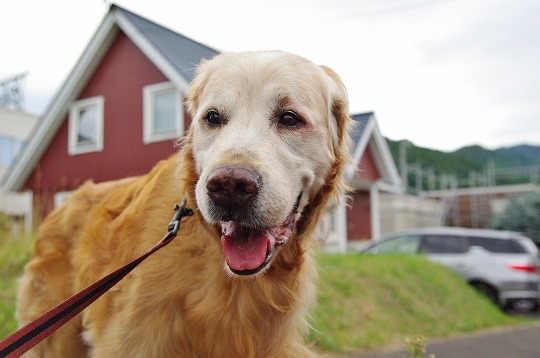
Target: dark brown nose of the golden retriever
x=232 y=187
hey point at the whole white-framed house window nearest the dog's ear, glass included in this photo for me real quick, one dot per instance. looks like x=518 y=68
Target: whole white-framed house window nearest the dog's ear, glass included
x=163 y=114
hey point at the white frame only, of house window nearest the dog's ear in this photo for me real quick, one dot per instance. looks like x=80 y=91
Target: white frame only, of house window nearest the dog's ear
x=149 y=93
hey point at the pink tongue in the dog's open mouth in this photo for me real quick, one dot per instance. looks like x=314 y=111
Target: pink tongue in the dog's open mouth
x=244 y=248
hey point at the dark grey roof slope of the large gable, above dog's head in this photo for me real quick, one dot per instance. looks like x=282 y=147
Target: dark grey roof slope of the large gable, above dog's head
x=182 y=52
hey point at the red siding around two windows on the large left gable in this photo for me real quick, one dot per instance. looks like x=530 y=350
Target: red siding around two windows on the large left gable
x=124 y=71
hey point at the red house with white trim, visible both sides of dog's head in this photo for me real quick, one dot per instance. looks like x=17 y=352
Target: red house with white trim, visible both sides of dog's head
x=120 y=111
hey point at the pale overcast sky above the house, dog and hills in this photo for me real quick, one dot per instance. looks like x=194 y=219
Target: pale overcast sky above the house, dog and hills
x=443 y=74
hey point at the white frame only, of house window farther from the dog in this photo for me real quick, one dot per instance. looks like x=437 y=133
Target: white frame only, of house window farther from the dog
x=74 y=147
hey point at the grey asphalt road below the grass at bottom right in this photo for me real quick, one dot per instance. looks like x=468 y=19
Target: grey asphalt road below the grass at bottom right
x=517 y=342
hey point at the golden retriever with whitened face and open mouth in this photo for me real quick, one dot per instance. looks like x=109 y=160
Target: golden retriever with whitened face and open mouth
x=264 y=156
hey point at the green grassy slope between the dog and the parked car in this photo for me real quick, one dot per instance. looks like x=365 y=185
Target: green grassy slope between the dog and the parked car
x=369 y=302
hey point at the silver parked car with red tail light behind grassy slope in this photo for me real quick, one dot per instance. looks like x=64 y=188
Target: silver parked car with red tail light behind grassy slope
x=503 y=265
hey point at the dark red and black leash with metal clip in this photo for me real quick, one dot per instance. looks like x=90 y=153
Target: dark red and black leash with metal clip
x=42 y=327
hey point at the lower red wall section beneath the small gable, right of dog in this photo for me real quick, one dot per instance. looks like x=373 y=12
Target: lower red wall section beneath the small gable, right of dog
x=359 y=217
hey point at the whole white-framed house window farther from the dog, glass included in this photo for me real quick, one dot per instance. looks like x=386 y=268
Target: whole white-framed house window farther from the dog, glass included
x=86 y=126
